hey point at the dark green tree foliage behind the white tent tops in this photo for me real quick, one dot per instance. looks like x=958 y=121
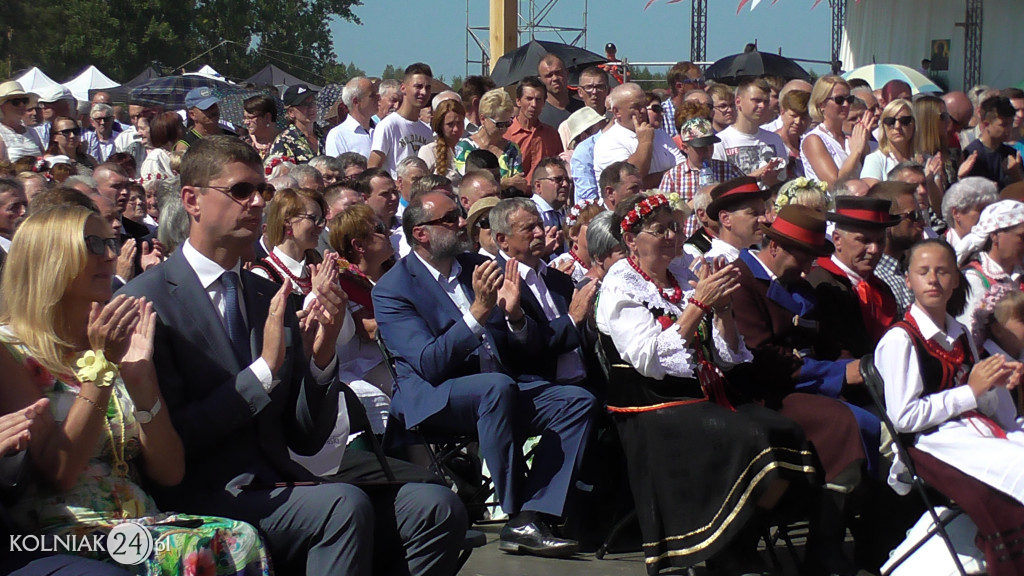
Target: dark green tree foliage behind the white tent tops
x=122 y=37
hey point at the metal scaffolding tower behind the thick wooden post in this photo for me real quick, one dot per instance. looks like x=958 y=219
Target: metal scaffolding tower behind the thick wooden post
x=534 y=22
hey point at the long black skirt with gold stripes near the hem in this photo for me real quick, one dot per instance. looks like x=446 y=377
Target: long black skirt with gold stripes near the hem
x=698 y=471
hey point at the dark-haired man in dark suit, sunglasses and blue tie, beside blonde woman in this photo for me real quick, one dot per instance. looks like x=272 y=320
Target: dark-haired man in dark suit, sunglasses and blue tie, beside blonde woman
x=241 y=393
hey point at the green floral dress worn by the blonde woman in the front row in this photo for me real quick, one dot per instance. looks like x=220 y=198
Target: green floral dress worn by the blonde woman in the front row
x=108 y=495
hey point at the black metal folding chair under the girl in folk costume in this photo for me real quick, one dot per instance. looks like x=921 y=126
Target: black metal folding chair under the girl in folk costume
x=876 y=387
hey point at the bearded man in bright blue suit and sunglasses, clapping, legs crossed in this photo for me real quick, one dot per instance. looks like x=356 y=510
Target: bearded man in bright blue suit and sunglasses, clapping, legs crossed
x=459 y=334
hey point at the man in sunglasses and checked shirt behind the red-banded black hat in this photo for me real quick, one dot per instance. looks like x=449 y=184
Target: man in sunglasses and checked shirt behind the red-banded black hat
x=892 y=266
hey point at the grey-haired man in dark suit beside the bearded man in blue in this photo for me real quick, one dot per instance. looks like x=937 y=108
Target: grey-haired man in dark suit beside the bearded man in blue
x=548 y=300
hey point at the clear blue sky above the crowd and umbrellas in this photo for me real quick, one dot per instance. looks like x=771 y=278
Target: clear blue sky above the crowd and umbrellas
x=401 y=32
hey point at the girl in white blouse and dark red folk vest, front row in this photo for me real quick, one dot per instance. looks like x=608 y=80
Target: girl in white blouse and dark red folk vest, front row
x=966 y=440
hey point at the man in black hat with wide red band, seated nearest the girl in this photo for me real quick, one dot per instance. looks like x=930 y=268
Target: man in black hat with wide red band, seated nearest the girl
x=856 y=306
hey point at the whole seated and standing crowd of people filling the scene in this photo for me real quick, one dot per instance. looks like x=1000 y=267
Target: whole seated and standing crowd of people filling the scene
x=196 y=317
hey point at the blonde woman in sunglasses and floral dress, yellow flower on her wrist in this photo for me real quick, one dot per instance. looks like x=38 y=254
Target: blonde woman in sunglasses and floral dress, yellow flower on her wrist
x=107 y=428
